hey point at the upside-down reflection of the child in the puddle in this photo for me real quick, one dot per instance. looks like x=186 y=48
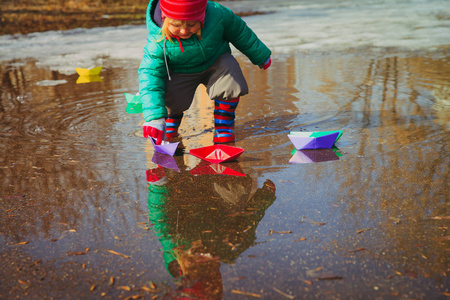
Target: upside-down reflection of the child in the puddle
x=202 y=221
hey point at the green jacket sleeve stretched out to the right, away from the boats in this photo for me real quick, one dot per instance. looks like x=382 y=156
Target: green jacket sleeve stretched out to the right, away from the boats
x=243 y=38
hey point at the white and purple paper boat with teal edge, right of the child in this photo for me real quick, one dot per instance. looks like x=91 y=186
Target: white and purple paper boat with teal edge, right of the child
x=315 y=139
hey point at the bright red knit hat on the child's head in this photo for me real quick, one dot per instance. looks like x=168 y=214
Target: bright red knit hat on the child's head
x=184 y=10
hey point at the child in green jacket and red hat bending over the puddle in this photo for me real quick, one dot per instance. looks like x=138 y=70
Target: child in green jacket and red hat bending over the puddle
x=189 y=44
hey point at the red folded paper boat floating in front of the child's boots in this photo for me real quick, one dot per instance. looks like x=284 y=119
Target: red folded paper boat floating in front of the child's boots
x=217 y=153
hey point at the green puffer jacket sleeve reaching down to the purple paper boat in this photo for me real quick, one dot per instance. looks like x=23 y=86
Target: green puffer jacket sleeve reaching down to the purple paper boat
x=152 y=82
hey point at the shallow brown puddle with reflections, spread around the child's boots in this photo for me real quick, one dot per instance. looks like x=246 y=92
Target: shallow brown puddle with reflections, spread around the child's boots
x=87 y=213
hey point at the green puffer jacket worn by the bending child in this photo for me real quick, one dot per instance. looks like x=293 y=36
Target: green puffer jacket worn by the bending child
x=221 y=27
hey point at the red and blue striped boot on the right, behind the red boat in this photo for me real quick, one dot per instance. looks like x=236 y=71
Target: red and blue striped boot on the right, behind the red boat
x=224 y=120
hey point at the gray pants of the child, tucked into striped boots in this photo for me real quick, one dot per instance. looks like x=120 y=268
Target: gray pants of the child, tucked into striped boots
x=223 y=80
